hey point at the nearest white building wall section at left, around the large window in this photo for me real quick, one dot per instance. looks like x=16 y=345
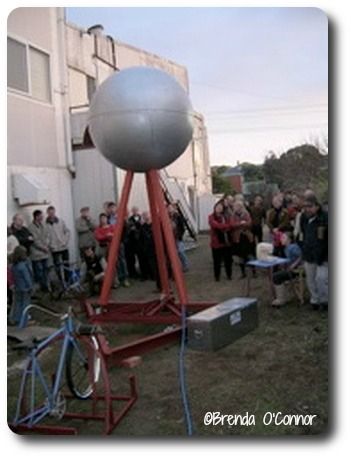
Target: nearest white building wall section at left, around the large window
x=38 y=132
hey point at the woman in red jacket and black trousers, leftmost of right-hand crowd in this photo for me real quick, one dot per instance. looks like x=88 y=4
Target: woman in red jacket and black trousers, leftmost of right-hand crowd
x=220 y=241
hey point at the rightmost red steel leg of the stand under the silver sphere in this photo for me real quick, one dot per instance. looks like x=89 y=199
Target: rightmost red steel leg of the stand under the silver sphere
x=169 y=238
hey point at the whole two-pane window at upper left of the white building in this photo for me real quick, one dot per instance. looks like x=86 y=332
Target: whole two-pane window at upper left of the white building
x=28 y=70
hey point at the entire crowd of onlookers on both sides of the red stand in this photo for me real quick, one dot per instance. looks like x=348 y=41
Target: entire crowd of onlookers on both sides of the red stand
x=296 y=226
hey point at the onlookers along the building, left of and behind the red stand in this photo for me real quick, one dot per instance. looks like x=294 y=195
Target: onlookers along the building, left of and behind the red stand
x=32 y=250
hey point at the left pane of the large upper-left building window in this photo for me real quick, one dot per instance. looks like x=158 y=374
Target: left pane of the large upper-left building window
x=17 y=74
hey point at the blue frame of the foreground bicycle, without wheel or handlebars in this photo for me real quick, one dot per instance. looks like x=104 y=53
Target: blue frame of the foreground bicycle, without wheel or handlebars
x=34 y=371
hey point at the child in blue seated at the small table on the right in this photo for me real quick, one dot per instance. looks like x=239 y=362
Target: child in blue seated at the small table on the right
x=293 y=253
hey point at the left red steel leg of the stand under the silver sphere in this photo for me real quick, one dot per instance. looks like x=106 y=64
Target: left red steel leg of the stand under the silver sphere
x=116 y=240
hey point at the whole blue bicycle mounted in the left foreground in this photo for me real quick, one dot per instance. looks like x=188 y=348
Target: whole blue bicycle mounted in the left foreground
x=41 y=395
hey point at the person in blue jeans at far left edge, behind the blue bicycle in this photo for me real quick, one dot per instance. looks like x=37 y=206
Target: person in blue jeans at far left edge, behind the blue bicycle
x=23 y=281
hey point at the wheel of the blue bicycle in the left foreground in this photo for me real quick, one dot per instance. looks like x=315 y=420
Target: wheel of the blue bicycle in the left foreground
x=83 y=366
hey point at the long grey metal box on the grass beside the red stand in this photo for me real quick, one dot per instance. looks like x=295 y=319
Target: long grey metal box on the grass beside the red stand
x=222 y=324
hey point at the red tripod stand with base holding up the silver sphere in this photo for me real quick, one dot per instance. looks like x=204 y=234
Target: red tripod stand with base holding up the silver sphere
x=165 y=309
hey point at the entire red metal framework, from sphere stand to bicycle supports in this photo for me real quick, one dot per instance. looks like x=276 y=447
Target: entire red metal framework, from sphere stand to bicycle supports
x=164 y=310
